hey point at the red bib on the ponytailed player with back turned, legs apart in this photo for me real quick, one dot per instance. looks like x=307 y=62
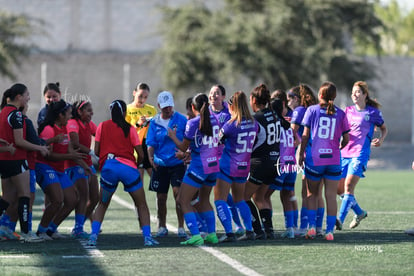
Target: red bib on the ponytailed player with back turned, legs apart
x=112 y=140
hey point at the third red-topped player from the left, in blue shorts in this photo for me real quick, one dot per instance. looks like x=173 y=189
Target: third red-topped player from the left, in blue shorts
x=81 y=129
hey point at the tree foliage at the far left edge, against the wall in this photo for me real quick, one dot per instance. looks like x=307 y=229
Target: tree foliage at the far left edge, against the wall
x=13 y=30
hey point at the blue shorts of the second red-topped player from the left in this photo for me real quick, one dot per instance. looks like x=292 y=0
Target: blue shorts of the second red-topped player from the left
x=46 y=175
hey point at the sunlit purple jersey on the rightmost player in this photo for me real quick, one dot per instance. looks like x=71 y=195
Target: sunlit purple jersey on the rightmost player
x=362 y=124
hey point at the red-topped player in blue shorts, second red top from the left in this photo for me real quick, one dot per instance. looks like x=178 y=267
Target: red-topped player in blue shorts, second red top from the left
x=50 y=171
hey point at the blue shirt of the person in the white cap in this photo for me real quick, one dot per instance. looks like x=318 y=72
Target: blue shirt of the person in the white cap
x=164 y=147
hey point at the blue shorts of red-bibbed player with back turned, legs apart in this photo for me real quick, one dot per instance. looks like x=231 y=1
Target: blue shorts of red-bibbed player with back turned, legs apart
x=114 y=171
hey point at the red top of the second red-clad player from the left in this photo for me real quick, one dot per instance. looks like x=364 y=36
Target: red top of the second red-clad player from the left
x=62 y=147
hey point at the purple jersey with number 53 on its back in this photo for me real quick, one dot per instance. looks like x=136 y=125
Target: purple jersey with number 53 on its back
x=238 y=145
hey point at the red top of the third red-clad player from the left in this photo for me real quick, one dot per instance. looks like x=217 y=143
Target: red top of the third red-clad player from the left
x=85 y=132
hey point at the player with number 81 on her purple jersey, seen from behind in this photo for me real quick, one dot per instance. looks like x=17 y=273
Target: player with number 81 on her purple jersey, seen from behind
x=325 y=124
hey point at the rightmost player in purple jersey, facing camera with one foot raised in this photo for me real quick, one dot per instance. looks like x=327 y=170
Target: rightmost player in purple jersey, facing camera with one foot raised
x=362 y=117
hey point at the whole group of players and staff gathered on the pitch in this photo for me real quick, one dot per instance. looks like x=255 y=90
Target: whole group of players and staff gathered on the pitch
x=219 y=146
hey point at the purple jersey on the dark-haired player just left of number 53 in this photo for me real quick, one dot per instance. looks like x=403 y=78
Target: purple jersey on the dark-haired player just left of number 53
x=204 y=149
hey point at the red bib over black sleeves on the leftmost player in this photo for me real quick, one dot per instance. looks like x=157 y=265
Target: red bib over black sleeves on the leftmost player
x=10 y=119
